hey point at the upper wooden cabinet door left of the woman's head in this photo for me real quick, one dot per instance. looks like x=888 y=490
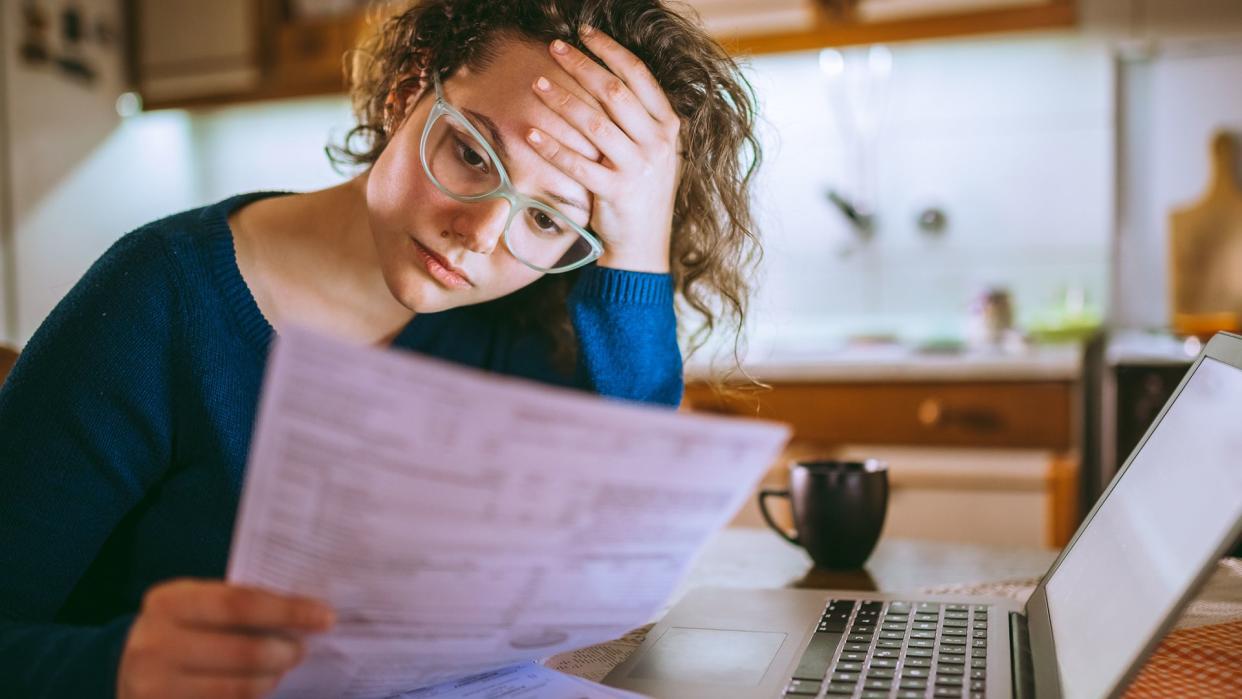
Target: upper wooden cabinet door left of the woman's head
x=189 y=49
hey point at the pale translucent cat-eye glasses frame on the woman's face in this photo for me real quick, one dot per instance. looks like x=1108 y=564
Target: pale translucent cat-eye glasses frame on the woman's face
x=519 y=202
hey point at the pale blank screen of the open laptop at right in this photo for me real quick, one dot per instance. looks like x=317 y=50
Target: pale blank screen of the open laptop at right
x=1161 y=526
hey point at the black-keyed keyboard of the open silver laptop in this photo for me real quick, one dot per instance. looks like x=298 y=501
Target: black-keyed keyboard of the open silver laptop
x=877 y=650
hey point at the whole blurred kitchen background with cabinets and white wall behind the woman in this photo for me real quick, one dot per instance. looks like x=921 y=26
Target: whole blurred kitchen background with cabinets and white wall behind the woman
x=912 y=192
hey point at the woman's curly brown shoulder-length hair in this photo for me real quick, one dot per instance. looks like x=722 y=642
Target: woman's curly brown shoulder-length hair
x=715 y=244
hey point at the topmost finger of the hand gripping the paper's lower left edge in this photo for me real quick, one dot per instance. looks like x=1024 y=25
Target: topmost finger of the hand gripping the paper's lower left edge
x=219 y=605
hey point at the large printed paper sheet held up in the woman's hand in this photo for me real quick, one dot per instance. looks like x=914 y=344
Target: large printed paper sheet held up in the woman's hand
x=461 y=522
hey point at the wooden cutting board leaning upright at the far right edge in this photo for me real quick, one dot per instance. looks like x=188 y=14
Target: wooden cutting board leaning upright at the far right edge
x=1205 y=256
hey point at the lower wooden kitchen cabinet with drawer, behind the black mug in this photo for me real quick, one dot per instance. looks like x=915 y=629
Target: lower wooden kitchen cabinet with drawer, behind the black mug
x=993 y=462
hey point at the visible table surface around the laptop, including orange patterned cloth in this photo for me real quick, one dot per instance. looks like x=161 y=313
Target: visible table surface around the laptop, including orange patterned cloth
x=1199 y=660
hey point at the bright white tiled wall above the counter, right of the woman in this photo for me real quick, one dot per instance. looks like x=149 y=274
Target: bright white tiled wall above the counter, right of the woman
x=1014 y=140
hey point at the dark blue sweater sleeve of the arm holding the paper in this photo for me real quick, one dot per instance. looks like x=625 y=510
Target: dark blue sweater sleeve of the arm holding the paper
x=86 y=424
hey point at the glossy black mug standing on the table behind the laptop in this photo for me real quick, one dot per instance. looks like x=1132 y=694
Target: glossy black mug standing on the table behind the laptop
x=839 y=510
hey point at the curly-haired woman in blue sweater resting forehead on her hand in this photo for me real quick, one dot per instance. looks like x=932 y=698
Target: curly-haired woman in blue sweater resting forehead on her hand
x=540 y=179
